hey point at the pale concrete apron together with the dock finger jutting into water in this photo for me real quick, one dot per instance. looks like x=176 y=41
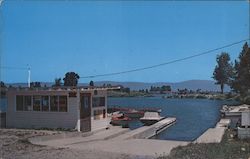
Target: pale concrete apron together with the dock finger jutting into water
x=119 y=140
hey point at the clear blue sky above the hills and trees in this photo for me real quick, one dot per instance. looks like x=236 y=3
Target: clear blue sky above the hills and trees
x=98 y=37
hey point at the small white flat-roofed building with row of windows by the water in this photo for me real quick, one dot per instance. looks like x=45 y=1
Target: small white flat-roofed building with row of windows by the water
x=83 y=109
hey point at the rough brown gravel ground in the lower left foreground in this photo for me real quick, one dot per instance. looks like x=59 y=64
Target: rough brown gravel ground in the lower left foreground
x=14 y=145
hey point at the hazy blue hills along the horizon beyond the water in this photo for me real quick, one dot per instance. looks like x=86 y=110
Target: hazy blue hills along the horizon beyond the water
x=204 y=85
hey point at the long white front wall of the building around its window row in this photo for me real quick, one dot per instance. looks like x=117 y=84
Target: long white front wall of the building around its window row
x=40 y=119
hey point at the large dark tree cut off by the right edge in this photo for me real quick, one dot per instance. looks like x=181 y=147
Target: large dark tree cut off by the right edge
x=241 y=78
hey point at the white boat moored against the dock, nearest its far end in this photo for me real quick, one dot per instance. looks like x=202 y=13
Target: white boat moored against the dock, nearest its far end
x=150 y=118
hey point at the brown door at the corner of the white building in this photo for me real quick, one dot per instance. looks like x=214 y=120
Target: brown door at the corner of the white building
x=85 y=112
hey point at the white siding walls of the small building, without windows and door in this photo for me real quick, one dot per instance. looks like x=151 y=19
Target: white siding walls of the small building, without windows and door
x=41 y=119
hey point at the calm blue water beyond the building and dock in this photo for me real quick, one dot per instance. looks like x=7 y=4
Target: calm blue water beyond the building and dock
x=194 y=116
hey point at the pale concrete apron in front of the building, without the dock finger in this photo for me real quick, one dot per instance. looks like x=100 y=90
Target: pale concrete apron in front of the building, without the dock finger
x=114 y=140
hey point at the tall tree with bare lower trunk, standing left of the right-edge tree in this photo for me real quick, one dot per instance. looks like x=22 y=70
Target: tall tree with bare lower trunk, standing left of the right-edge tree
x=223 y=70
